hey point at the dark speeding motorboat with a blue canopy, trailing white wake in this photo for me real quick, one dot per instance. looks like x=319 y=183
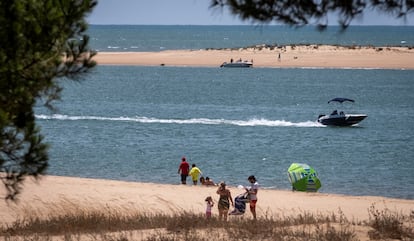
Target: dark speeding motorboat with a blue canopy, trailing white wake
x=340 y=118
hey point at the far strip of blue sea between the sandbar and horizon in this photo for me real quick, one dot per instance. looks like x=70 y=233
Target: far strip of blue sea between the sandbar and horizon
x=157 y=38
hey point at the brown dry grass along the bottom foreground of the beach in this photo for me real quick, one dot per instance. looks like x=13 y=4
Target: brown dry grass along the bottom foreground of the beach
x=71 y=222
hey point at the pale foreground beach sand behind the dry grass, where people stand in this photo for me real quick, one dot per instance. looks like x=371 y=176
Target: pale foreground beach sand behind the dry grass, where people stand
x=54 y=191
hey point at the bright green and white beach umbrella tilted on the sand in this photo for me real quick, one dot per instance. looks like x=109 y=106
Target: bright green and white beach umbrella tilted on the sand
x=303 y=178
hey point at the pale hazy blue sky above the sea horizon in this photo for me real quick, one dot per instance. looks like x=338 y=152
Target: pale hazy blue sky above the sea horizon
x=194 y=12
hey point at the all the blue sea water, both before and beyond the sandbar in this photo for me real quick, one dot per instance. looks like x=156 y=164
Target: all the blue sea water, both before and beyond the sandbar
x=135 y=123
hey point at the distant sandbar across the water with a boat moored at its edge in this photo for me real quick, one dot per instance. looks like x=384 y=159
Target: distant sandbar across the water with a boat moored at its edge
x=303 y=56
